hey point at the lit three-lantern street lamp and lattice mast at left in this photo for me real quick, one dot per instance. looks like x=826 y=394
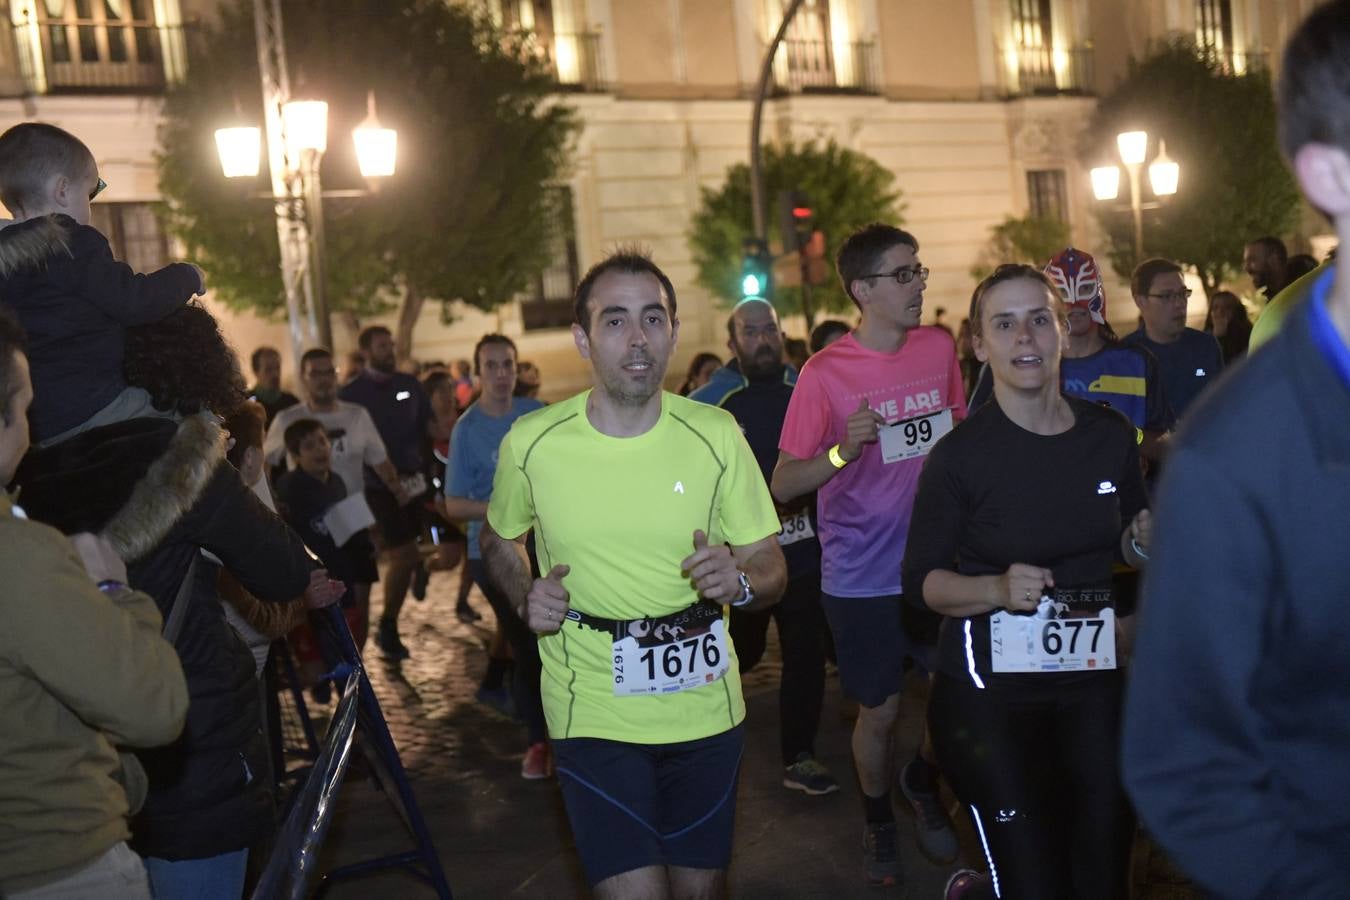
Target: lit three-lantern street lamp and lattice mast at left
x=298 y=137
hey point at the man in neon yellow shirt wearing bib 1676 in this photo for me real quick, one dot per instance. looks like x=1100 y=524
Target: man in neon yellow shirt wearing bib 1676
x=651 y=517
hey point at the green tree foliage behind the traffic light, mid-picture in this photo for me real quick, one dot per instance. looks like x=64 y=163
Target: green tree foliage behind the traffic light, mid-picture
x=848 y=191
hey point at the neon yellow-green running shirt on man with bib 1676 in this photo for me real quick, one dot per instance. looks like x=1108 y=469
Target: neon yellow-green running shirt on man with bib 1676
x=622 y=512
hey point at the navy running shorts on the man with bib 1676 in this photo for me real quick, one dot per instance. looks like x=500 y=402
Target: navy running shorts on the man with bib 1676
x=651 y=805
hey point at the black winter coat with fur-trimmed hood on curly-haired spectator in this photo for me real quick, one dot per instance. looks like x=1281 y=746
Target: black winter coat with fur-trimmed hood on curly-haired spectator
x=163 y=492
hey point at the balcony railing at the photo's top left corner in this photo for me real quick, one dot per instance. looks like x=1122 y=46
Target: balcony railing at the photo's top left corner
x=87 y=56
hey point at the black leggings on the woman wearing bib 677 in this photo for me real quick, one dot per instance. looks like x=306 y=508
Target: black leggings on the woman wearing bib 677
x=1037 y=768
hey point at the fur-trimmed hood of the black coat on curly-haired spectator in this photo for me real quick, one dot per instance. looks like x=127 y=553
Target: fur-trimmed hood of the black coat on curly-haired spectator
x=132 y=482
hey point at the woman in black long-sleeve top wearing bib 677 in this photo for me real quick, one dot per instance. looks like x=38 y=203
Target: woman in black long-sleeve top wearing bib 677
x=1021 y=515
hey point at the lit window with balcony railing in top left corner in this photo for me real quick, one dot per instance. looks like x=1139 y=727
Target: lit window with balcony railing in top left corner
x=95 y=45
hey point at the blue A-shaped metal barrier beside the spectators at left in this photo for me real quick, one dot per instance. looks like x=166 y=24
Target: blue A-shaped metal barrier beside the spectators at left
x=358 y=723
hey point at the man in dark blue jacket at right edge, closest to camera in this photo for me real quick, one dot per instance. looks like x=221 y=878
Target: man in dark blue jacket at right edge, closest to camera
x=1237 y=740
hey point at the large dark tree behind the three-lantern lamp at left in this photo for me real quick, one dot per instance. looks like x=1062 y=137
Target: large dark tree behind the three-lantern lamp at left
x=481 y=140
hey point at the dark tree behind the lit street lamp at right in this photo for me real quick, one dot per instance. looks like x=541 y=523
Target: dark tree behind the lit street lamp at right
x=1221 y=129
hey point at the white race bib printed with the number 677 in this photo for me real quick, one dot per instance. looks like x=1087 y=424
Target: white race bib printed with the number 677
x=1052 y=640
